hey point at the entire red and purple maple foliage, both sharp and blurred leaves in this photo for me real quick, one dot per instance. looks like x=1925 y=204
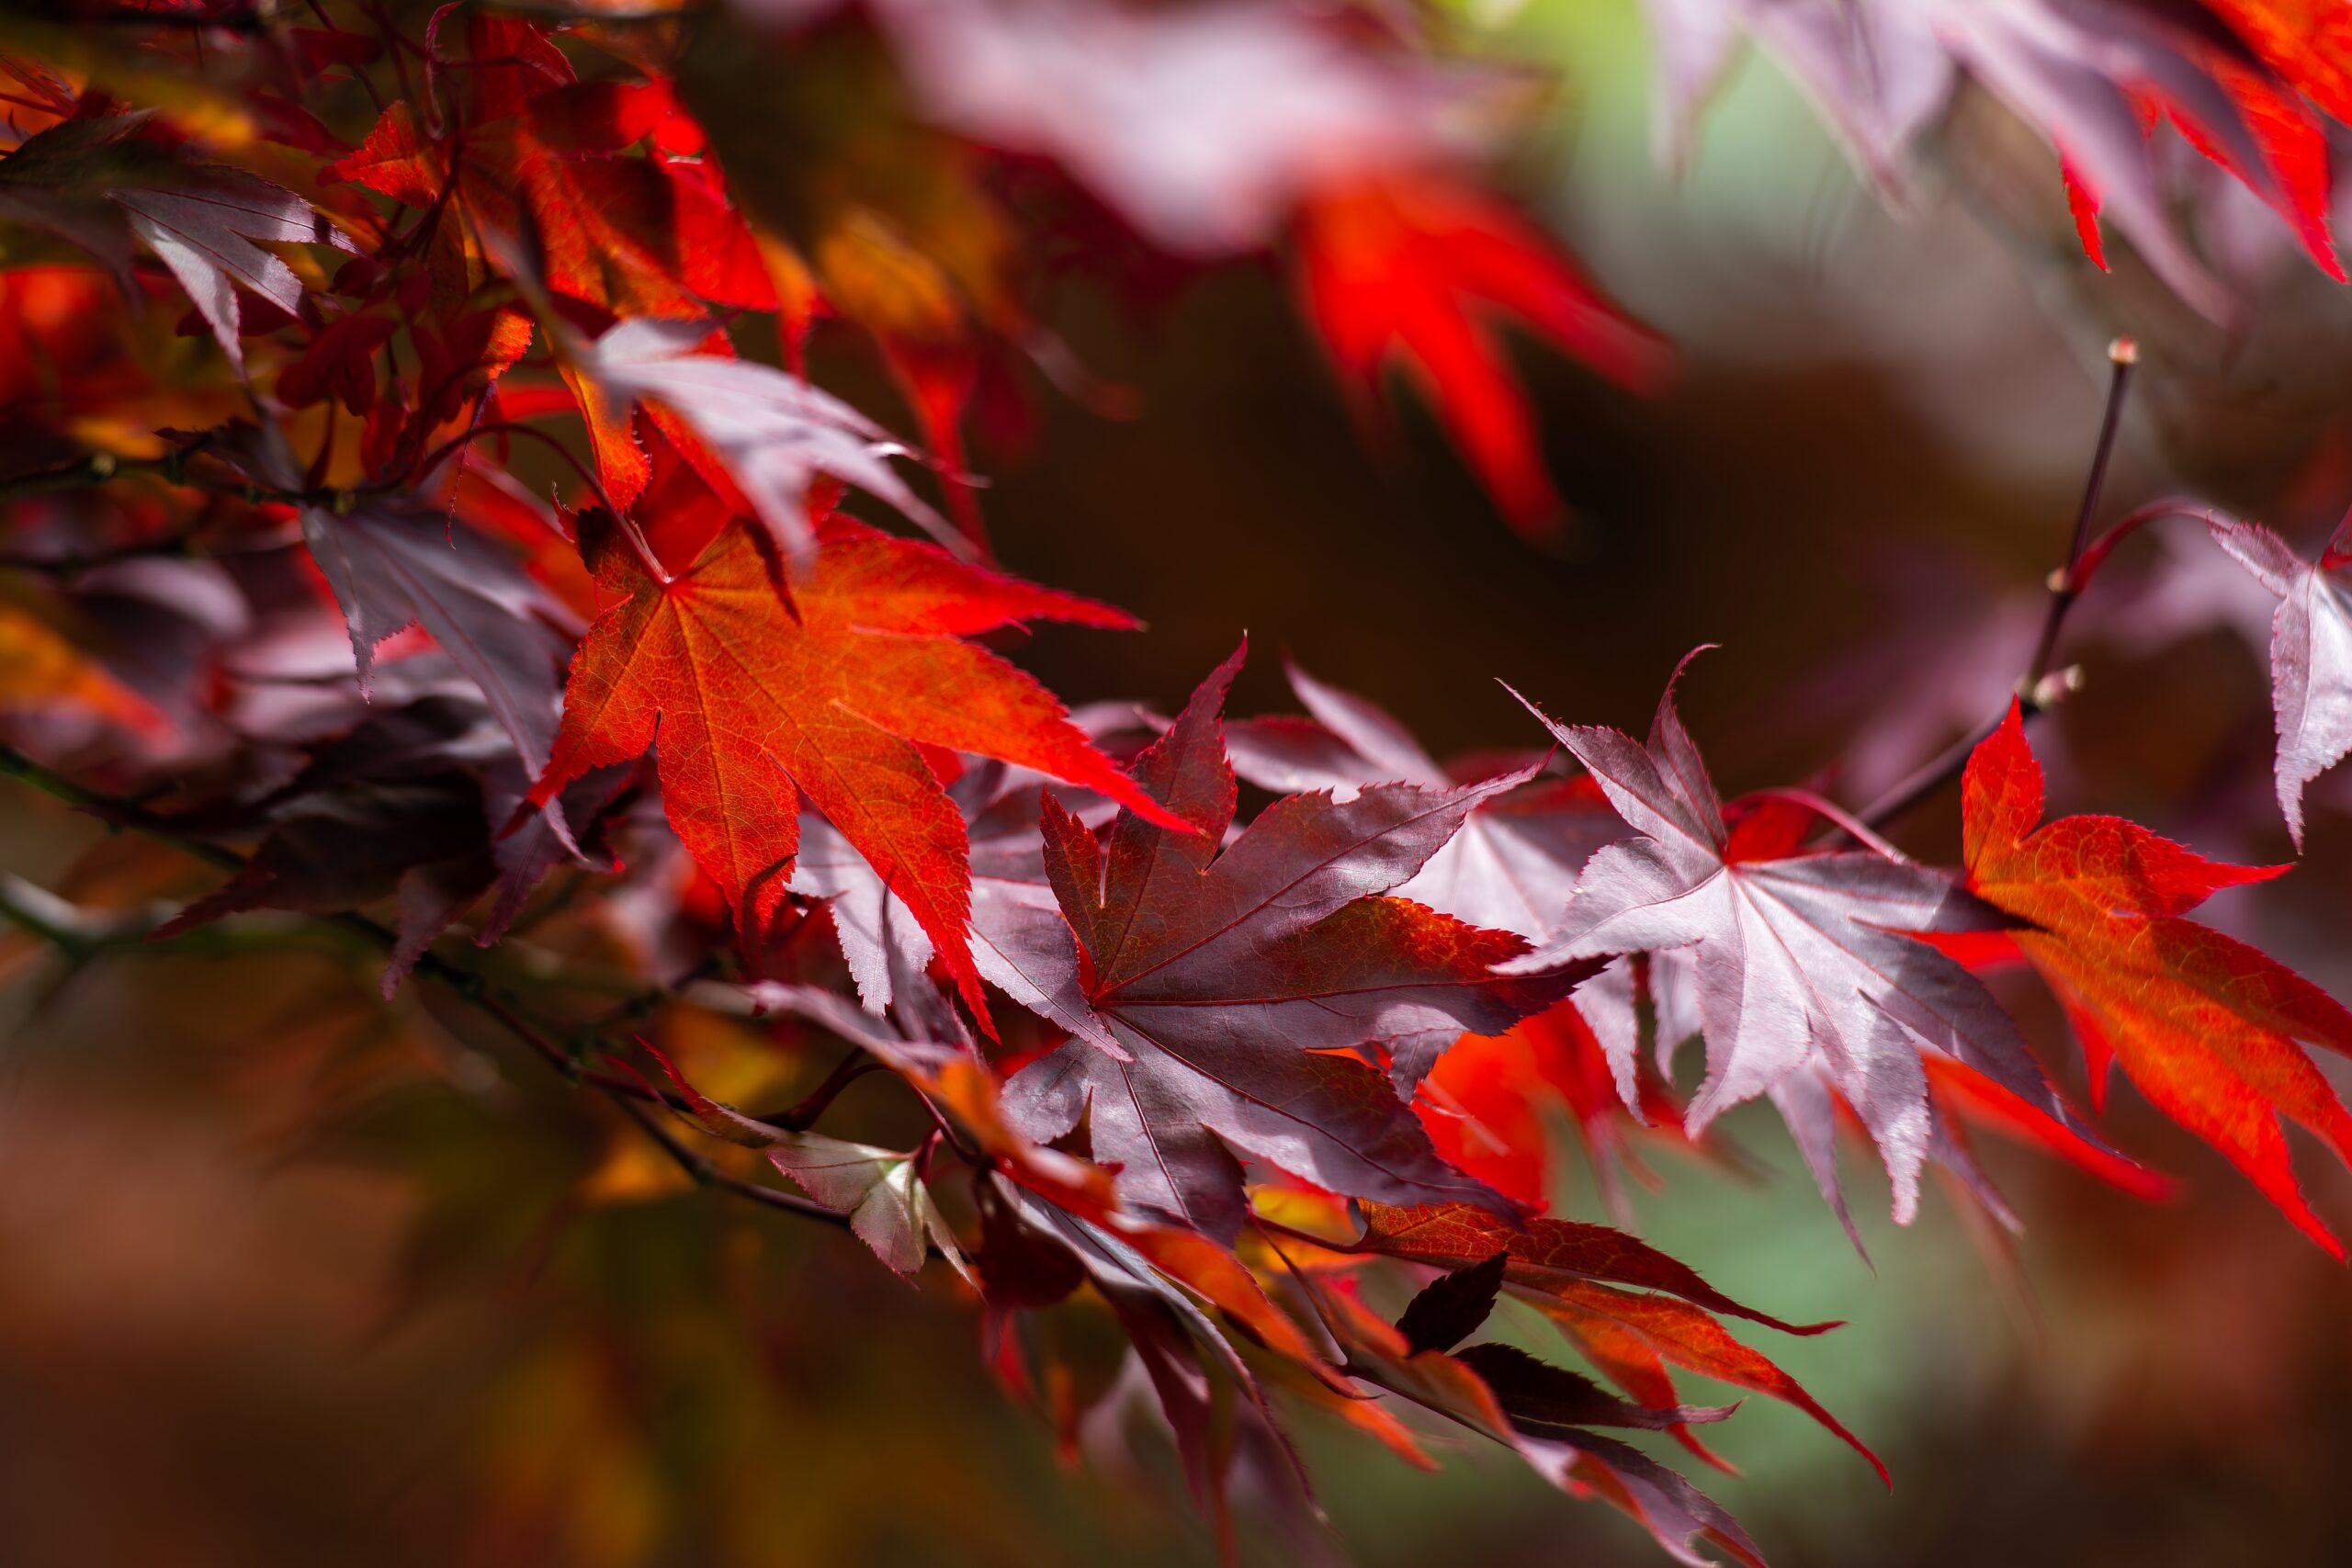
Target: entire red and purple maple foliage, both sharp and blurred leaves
x=293 y=304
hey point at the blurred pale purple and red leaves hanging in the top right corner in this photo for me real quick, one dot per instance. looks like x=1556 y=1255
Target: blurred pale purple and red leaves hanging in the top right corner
x=2139 y=100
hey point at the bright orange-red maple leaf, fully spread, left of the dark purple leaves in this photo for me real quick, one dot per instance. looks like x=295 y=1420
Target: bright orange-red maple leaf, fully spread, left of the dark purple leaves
x=751 y=704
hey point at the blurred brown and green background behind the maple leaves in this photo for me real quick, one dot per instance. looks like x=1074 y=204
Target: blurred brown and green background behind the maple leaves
x=274 y=1292
